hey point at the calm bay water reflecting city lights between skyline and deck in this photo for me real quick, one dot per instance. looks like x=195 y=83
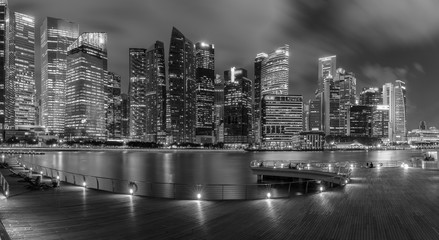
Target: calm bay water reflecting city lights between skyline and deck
x=193 y=167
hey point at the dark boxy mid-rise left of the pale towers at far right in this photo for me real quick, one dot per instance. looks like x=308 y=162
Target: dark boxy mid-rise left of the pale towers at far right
x=360 y=118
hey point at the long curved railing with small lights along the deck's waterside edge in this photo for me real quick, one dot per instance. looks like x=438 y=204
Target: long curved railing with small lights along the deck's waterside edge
x=182 y=191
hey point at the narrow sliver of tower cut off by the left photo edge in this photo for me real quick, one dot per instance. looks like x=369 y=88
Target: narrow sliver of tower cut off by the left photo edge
x=4 y=60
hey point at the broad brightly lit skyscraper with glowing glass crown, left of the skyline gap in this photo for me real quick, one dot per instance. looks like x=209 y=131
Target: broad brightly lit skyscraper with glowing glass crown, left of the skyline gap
x=85 y=87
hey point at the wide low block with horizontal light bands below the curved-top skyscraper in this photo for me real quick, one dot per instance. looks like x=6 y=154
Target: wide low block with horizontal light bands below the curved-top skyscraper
x=281 y=120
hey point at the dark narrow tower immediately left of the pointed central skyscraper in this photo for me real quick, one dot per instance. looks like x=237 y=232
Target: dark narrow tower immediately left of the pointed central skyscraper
x=155 y=94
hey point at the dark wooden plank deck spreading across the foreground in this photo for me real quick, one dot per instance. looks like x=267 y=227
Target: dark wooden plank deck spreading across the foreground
x=386 y=203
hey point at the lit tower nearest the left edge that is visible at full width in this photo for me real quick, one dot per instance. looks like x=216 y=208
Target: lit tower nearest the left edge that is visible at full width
x=20 y=103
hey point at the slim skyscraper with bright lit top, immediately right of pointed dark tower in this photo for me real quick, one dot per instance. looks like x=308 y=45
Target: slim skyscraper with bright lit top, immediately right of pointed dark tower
x=205 y=77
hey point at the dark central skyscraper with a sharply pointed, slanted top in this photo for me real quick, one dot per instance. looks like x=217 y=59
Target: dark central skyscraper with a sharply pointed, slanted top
x=182 y=89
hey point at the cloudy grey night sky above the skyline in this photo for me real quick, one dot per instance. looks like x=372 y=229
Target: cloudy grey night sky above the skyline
x=379 y=40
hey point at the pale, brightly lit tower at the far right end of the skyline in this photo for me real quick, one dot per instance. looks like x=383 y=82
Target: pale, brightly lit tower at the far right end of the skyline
x=394 y=95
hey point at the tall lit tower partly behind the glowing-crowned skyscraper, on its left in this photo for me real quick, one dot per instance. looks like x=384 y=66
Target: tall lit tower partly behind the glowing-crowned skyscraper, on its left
x=56 y=36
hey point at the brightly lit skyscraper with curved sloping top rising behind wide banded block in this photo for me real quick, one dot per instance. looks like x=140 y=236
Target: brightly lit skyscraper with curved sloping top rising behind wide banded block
x=275 y=72
